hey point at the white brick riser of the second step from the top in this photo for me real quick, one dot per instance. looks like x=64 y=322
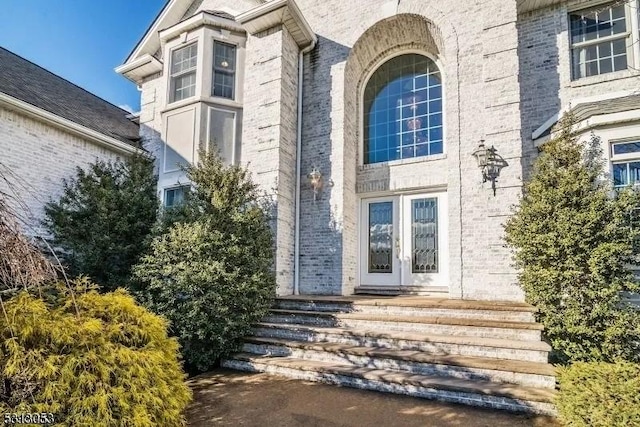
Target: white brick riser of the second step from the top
x=438 y=329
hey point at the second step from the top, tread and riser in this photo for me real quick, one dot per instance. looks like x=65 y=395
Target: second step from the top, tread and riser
x=525 y=331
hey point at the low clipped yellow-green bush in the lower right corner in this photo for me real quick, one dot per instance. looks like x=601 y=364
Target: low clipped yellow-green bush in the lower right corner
x=600 y=394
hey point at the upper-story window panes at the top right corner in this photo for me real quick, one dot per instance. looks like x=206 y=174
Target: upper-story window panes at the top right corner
x=601 y=39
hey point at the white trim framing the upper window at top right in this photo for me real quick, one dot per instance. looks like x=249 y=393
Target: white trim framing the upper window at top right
x=632 y=35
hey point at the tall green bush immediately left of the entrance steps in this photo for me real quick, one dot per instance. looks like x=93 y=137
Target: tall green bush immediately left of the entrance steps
x=210 y=271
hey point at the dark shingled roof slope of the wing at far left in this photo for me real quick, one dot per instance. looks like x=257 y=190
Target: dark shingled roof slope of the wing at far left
x=32 y=84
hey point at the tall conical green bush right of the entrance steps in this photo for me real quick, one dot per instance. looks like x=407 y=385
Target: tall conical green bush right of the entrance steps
x=573 y=243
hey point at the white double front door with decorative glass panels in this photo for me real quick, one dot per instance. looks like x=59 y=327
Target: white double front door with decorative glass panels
x=403 y=240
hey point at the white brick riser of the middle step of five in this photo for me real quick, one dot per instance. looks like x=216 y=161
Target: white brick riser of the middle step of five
x=399 y=344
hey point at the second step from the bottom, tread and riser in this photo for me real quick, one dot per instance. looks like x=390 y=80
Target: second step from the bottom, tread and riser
x=531 y=374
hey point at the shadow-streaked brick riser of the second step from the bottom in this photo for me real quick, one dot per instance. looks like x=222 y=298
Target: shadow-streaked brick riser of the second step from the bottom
x=531 y=380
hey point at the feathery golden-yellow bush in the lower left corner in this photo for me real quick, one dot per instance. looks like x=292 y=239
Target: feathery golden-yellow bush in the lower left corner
x=90 y=359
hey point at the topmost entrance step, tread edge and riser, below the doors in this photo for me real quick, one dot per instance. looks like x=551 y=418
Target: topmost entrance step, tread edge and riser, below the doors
x=412 y=306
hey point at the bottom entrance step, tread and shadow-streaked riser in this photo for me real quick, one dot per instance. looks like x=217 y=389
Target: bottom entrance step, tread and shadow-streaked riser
x=477 y=393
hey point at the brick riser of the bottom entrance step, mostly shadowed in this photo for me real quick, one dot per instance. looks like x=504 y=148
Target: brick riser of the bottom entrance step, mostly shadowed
x=472 y=399
